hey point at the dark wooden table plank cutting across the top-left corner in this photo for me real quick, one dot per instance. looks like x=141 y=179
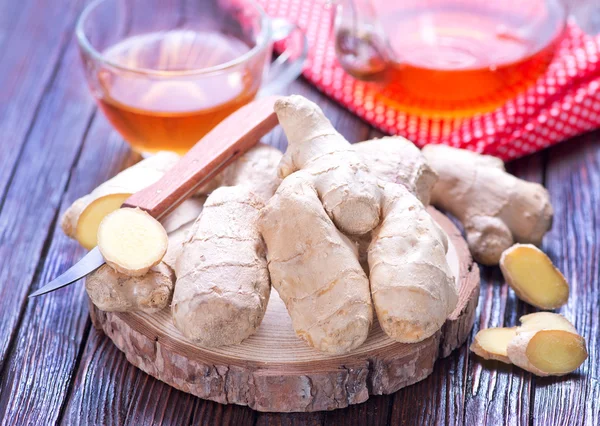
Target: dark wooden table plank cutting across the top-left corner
x=32 y=42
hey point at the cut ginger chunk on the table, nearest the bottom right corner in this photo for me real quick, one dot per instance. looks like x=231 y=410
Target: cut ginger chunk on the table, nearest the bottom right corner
x=545 y=344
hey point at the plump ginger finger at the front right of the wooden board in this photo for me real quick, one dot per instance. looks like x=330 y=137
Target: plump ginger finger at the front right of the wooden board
x=412 y=287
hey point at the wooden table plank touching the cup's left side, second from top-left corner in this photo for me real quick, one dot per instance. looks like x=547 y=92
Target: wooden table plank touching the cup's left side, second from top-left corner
x=31 y=204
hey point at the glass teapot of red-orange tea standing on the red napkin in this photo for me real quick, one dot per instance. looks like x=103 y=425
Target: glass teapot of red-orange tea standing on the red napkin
x=448 y=58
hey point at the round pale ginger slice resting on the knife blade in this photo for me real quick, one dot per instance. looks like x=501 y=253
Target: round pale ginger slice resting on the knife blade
x=131 y=241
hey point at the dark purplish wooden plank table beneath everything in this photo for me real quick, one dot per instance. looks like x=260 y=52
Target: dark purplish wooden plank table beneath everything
x=55 y=368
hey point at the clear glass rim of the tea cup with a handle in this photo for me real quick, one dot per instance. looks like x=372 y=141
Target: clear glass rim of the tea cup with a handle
x=86 y=45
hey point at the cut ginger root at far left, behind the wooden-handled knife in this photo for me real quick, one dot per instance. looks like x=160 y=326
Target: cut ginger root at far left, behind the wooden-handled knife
x=82 y=218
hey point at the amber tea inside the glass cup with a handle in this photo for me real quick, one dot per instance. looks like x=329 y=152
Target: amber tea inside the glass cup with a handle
x=155 y=113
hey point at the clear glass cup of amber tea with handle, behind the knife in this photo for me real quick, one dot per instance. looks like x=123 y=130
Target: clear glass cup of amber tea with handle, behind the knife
x=165 y=72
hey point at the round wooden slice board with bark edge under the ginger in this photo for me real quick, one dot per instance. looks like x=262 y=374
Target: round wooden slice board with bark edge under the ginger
x=274 y=370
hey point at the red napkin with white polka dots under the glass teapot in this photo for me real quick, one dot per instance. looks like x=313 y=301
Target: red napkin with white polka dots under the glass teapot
x=563 y=103
